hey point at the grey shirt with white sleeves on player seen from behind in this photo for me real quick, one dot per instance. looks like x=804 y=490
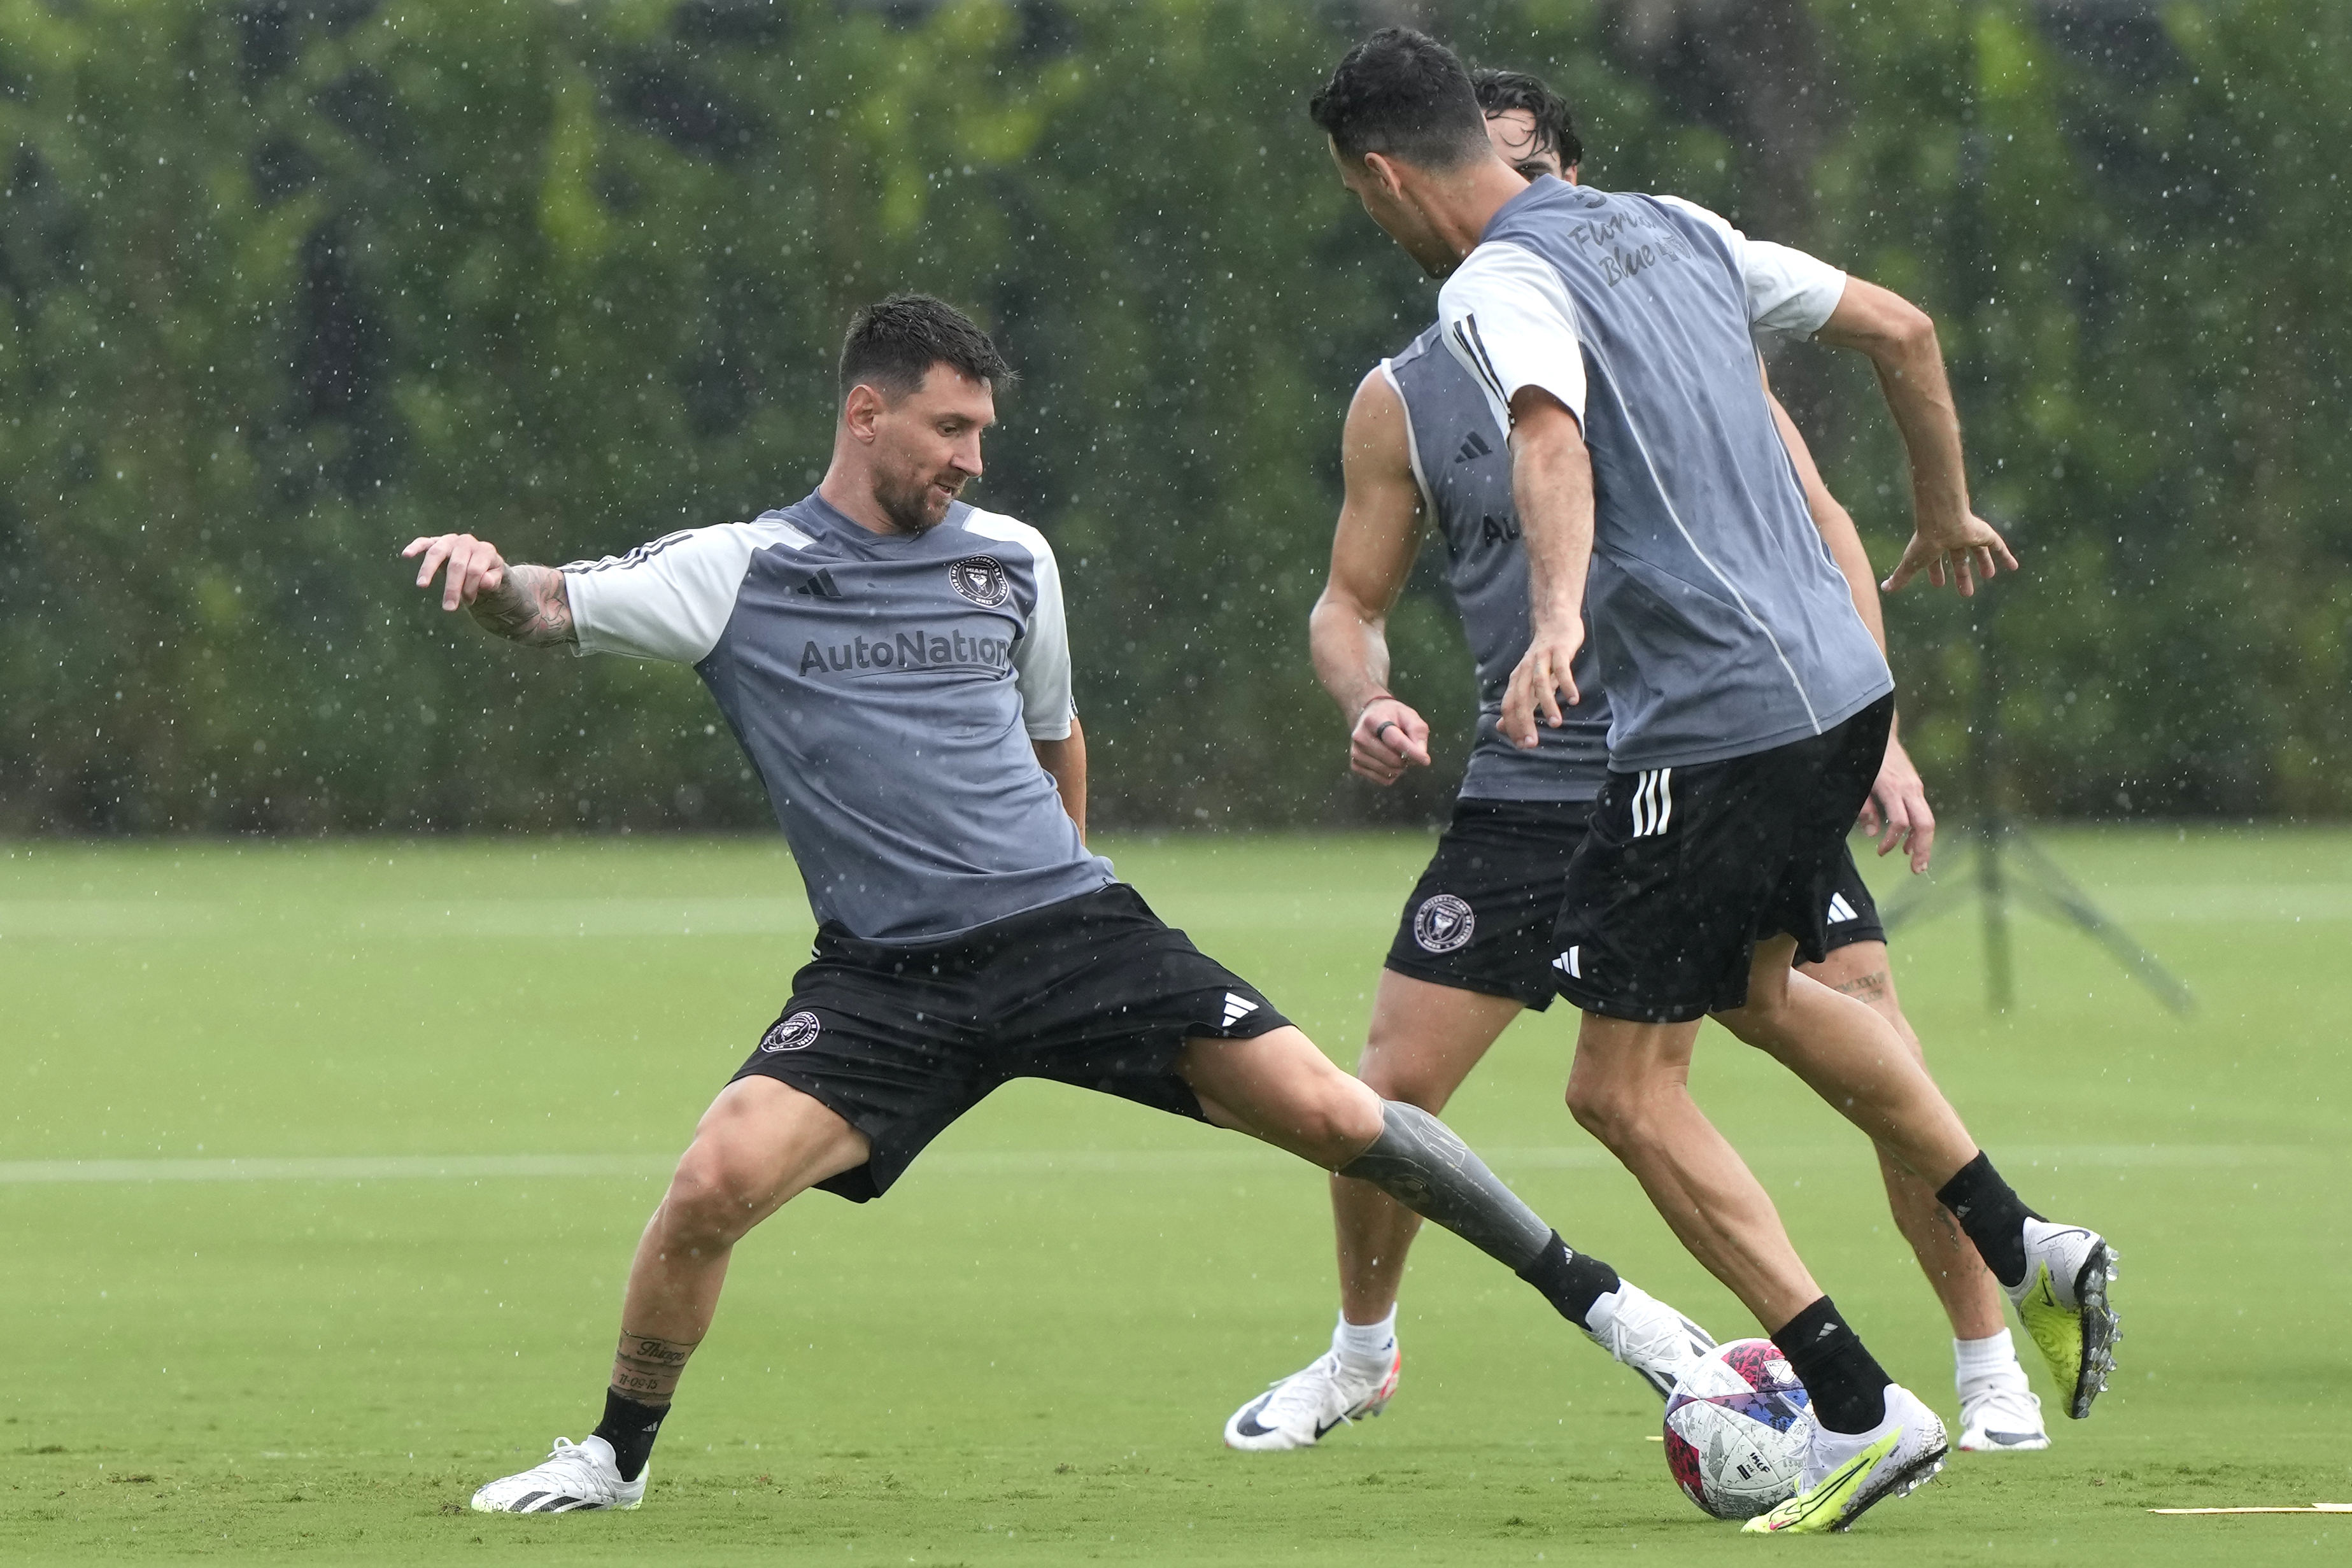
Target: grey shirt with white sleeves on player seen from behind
x=1720 y=622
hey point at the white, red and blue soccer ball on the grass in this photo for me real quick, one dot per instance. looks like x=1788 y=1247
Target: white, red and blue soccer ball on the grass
x=1737 y=1428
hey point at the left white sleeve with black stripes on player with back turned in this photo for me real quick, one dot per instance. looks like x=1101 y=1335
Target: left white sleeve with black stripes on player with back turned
x=1511 y=323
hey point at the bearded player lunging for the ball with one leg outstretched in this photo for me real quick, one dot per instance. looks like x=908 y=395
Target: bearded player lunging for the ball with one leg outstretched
x=897 y=669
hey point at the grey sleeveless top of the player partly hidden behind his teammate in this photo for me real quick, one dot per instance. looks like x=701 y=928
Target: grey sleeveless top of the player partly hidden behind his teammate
x=1462 y=464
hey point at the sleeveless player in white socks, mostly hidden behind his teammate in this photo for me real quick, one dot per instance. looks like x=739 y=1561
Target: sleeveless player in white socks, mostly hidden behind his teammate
x=1474 y=946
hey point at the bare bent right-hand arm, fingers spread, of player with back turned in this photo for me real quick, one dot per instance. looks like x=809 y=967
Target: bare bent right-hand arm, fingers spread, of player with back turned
x=1951 y=542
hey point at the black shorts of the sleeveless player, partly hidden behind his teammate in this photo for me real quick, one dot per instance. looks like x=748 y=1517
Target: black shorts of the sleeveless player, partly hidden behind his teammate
x=1485 y=911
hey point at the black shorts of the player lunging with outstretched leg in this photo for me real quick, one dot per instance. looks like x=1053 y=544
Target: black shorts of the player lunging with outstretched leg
x=902 y=1040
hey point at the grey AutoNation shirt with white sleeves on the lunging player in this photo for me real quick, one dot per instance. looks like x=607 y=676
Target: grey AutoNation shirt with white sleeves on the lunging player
x=888 y=690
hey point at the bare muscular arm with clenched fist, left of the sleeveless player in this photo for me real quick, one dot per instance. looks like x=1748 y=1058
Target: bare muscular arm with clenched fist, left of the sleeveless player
x=1372 y=554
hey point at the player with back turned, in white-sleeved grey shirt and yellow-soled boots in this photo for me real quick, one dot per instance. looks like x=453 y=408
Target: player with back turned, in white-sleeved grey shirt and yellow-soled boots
x=1612 y=337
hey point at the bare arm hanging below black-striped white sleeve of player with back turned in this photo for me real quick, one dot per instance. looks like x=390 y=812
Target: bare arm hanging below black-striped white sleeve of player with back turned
x=1551 y=483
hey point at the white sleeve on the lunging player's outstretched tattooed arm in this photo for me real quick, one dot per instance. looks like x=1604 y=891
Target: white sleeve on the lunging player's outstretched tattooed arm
x=674 y=596
